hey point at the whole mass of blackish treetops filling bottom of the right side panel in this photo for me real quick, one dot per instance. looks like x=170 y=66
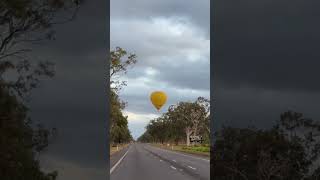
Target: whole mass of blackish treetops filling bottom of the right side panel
x=288 y=151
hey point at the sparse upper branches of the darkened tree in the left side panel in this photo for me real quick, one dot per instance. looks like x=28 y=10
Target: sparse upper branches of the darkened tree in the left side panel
x=24 y=23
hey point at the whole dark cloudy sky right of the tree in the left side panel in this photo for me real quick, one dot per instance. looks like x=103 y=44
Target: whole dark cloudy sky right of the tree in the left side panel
x=74 y=101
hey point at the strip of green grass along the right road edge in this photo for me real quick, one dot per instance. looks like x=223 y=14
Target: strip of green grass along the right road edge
x=203 y=150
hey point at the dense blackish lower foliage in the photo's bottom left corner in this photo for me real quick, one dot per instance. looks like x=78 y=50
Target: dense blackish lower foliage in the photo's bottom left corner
x=20 y=143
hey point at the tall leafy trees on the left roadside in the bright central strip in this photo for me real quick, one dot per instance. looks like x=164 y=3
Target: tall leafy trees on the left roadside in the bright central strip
x=119 y=64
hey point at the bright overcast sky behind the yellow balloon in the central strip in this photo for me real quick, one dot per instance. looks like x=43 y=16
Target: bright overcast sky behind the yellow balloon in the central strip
x=172 y=42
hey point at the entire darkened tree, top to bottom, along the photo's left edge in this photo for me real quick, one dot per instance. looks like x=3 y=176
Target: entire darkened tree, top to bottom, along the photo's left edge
x=24 y=23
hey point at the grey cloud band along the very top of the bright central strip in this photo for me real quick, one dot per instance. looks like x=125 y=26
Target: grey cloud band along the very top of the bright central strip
x=198 y=11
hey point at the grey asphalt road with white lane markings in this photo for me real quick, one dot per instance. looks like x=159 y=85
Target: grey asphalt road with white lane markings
x=145 y=162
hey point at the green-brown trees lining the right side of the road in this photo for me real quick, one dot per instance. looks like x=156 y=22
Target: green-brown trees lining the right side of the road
x=179 y=123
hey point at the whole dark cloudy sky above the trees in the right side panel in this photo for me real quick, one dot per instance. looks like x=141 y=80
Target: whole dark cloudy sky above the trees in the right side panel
x=265 y=60
